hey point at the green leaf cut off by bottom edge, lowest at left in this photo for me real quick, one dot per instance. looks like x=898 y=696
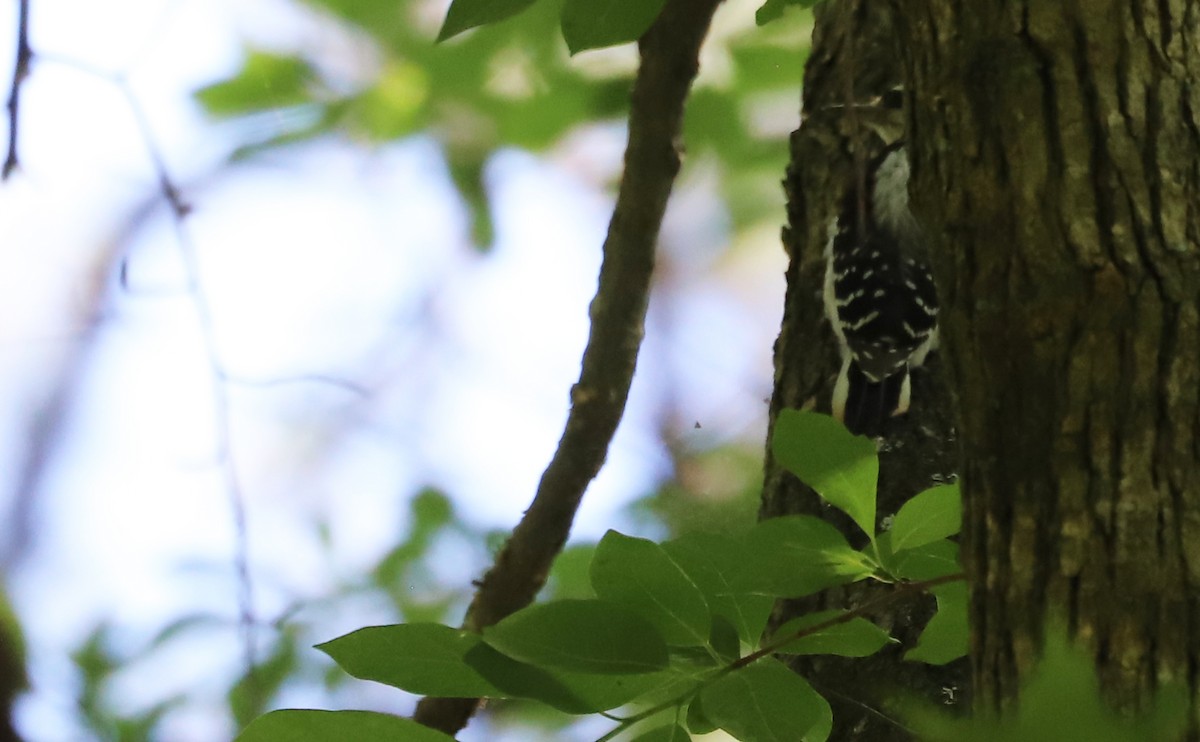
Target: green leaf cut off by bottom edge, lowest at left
x=307 y=726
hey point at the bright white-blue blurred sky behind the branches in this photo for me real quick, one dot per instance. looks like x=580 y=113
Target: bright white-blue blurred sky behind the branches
x=323 y=262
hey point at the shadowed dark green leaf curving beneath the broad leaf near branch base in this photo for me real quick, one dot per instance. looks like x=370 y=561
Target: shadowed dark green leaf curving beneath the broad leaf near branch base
x=569 y=692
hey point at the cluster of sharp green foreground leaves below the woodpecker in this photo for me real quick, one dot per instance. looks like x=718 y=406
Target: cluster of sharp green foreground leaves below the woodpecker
x=675 y=631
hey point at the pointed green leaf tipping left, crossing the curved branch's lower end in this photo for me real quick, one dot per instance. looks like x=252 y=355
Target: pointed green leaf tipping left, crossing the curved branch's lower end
x=423 y=659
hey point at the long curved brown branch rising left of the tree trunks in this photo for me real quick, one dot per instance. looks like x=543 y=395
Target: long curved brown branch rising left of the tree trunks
x=670 y=52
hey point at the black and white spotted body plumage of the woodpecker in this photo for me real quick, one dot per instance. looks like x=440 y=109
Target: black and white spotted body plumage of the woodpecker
x=879 y=296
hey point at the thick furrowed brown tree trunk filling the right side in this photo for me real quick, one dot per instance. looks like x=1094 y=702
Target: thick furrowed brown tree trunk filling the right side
x=1058 y=163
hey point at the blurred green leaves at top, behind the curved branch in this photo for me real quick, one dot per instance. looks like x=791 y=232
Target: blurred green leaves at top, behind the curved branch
x=512 y=85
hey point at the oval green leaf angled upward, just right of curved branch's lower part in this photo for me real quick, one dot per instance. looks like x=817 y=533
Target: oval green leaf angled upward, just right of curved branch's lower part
x=639 y=575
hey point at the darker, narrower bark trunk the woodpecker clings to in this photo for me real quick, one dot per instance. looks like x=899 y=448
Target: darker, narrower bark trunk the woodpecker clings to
x=854 y=58
